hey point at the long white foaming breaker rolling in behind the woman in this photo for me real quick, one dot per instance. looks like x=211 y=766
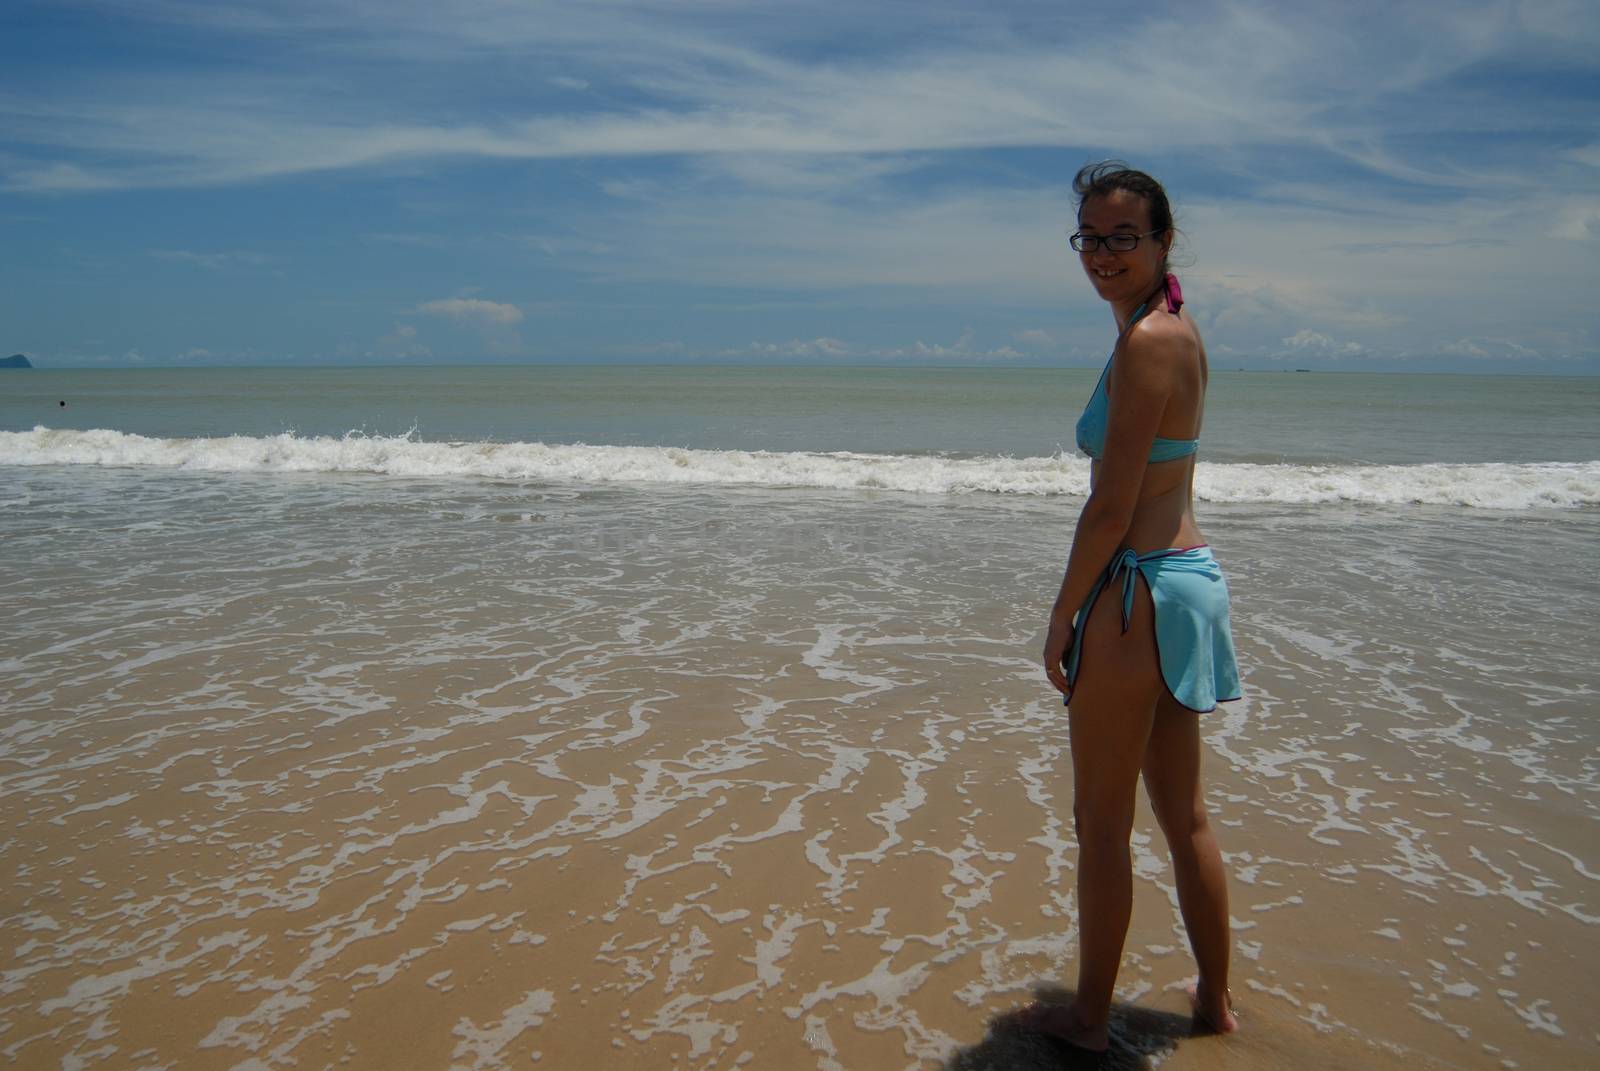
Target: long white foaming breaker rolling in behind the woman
x=1494 y=486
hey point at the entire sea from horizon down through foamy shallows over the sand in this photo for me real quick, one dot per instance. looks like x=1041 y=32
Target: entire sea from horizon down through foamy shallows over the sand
x=690 y=716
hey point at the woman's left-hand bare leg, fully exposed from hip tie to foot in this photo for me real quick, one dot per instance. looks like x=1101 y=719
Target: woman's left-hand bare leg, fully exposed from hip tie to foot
x=1111 y=716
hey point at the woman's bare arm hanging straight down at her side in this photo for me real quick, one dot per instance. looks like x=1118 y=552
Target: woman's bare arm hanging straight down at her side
x=1146 y=374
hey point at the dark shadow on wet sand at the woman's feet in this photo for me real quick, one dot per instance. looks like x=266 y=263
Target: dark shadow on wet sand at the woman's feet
x=1137 y=1035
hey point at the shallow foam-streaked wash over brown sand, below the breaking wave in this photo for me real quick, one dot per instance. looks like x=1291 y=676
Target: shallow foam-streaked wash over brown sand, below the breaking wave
x=308 y=769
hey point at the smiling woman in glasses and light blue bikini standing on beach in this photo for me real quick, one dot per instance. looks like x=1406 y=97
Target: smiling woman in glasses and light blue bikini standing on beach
x=1140 y=636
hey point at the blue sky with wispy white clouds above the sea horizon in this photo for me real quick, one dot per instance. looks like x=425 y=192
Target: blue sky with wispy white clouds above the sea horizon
x=1362 y=187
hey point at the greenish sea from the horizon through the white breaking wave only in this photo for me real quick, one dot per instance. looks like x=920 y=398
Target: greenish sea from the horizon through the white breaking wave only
x=1476 y=443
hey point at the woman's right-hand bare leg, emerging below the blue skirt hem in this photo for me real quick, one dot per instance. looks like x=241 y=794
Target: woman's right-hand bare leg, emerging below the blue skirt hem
x=1172 y=777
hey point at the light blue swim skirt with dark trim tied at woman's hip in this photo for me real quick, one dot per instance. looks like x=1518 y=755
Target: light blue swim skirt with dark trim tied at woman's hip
x=1194 y=640
